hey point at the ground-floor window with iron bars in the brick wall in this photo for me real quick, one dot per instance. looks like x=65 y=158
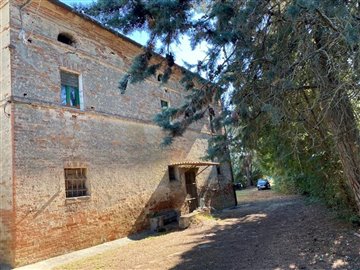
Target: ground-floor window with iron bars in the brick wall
x=75 y=182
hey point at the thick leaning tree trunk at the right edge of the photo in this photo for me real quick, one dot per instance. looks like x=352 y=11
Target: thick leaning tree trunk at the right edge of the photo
x=340 y=118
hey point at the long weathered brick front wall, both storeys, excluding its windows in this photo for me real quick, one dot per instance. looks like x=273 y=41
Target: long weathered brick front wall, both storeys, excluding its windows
x=113 y=137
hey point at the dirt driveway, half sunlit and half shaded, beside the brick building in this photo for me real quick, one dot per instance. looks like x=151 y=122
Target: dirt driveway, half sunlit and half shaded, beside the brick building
x=266 y=231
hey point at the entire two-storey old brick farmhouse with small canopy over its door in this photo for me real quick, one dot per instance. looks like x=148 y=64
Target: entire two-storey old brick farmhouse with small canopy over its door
x=81 y=163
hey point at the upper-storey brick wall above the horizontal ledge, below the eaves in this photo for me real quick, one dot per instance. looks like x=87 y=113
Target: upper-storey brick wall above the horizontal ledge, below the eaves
x=99 y=56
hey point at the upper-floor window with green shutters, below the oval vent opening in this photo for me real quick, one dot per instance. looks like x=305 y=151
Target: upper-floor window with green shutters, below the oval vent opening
x=70 y=95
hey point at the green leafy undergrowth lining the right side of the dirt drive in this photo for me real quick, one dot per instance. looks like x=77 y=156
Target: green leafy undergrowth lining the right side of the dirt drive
x=298 y=162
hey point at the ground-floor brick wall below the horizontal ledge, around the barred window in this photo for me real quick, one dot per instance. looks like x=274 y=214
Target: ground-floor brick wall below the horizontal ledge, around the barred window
x=127 y=173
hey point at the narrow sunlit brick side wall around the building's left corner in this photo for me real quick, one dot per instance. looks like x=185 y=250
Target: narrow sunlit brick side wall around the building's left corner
x=6 y=190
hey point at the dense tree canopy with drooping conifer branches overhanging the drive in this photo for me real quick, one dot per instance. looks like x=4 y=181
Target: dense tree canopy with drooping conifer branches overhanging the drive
x=290 y=71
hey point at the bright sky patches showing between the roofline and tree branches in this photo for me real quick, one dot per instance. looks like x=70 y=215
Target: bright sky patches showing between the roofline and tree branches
x=182 y=51
